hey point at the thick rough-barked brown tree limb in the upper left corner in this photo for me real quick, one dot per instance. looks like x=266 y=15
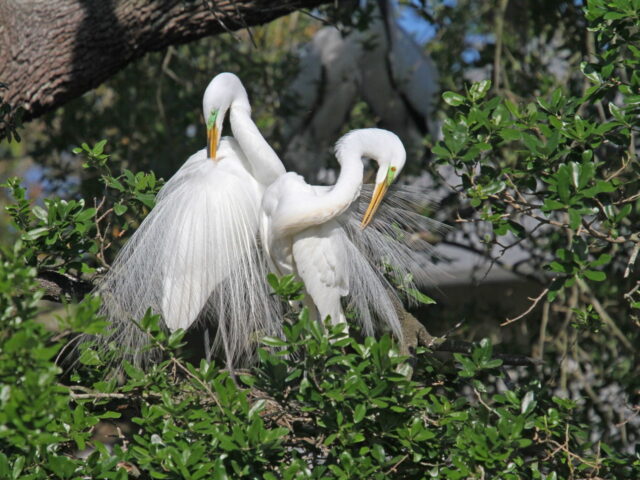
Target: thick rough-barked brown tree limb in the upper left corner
x=53 y=51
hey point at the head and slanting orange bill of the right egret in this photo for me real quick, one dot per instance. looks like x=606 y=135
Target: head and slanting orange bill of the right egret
x=386 y=149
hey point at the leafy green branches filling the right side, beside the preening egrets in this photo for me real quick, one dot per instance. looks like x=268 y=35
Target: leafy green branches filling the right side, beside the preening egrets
x=558 y=177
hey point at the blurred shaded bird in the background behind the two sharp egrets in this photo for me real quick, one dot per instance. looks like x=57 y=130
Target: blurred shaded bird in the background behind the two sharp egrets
x=383 y=66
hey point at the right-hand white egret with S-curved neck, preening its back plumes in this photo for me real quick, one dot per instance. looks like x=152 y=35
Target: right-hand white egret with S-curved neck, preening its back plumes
x=306 y=233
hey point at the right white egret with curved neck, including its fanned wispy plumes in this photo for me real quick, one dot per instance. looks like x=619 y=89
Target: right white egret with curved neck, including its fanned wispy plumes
x=314 y=232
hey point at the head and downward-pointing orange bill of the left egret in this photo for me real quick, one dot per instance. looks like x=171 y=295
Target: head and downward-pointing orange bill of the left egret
x=223 y=92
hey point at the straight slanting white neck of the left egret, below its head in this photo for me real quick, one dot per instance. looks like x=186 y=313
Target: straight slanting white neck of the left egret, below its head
x=265 y=163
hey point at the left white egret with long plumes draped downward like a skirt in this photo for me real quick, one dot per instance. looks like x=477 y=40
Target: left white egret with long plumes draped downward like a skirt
x=195 y=256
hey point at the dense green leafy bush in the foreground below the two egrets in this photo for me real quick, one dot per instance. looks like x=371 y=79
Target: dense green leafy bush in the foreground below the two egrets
x=318 y=405
